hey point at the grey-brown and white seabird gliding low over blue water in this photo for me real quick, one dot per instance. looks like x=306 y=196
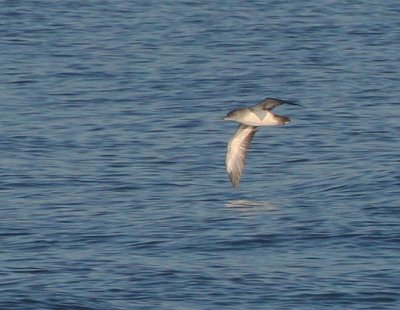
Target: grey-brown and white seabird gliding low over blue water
x=249 y=120
